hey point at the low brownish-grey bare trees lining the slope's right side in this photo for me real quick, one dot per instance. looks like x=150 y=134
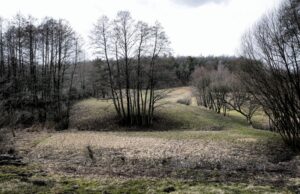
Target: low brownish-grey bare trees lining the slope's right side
x=220 y=89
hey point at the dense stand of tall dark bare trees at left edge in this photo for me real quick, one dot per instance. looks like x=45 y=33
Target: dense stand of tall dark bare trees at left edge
x=37 y=65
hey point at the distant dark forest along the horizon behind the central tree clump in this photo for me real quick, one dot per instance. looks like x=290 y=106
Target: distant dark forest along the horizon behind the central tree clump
x=92 y=76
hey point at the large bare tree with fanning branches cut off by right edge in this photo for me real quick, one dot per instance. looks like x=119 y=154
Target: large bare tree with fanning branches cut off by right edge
x=273 y=73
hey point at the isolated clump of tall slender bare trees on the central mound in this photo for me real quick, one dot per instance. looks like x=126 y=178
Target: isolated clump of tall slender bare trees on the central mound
x=131 y=51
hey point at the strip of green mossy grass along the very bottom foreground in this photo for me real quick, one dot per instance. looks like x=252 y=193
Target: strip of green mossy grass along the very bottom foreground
x=14 y=183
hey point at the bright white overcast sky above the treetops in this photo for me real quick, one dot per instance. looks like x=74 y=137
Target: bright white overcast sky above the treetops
x=194 y=27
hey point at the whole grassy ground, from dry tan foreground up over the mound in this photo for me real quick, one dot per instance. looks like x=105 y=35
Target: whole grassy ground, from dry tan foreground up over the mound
x=188 y=150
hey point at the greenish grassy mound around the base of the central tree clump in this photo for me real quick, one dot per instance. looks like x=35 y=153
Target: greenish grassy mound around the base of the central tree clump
x=177 y=121
